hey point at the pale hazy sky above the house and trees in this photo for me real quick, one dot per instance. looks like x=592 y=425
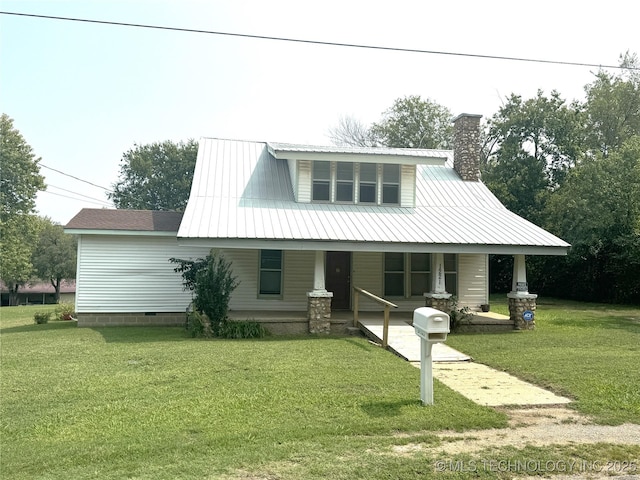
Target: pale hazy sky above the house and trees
x=82 y=94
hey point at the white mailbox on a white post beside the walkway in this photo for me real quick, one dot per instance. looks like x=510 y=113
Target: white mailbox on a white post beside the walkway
x=432 y=326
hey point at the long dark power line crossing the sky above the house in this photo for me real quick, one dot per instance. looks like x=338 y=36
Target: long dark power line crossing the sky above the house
x=318 y=42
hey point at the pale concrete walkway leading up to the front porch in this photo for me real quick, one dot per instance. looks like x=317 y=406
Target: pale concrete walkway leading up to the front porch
x=480 y=383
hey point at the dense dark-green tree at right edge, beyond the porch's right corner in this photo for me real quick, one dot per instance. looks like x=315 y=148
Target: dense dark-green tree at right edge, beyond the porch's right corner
x=598 y=211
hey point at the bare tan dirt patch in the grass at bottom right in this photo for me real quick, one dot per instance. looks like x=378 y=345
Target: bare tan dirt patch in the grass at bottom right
x=530 y=427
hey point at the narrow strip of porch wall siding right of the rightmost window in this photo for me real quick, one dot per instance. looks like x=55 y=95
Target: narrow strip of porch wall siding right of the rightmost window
x=472 y=280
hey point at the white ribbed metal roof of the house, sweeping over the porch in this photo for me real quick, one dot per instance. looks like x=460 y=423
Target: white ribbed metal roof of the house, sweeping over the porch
x=242 y=196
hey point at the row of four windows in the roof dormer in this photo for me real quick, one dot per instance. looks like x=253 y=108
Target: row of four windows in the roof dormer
x=336 y=182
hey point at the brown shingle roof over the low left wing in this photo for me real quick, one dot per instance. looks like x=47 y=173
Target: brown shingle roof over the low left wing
x=119 y=221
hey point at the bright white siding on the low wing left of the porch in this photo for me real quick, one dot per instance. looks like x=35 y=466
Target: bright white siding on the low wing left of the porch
x=131 y=274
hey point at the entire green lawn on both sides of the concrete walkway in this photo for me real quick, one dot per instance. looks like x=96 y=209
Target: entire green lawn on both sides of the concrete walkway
x=150 y=403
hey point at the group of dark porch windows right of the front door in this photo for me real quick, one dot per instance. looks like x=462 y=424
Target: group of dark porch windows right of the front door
x=409 y=274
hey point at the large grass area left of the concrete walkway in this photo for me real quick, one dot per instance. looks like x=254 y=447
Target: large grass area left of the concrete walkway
x=151 y=403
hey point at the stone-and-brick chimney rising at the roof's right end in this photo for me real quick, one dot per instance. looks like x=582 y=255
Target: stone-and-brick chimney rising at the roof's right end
x=466 y=146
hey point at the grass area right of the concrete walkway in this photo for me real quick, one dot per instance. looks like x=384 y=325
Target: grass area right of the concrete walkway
x=589 y=352
